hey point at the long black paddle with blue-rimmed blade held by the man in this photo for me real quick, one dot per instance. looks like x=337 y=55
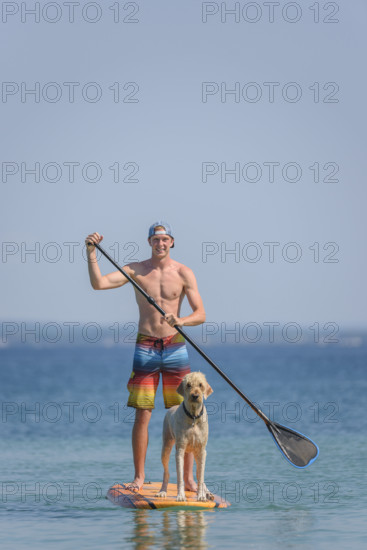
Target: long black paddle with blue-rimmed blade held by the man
x=296 y=448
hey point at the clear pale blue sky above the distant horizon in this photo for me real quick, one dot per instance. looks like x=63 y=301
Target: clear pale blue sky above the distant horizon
x=152 y=99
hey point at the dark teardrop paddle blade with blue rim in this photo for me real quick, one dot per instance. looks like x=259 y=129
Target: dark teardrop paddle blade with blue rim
x=296 y=447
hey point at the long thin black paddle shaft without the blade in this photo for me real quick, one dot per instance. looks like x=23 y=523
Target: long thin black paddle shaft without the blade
x=186 y=336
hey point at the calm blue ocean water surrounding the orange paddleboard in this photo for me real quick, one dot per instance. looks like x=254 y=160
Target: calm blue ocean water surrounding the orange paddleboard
x=65 y=438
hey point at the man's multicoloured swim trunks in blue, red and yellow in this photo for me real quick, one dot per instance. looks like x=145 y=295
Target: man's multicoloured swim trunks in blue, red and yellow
x=152 y=356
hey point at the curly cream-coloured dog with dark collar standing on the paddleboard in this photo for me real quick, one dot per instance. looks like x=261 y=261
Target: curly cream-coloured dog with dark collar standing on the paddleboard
x=187 y=425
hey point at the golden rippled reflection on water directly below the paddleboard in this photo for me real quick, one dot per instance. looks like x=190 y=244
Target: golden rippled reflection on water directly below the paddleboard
x=168 y=529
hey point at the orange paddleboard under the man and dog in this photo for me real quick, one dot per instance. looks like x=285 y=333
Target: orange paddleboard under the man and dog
x=122 y=496
